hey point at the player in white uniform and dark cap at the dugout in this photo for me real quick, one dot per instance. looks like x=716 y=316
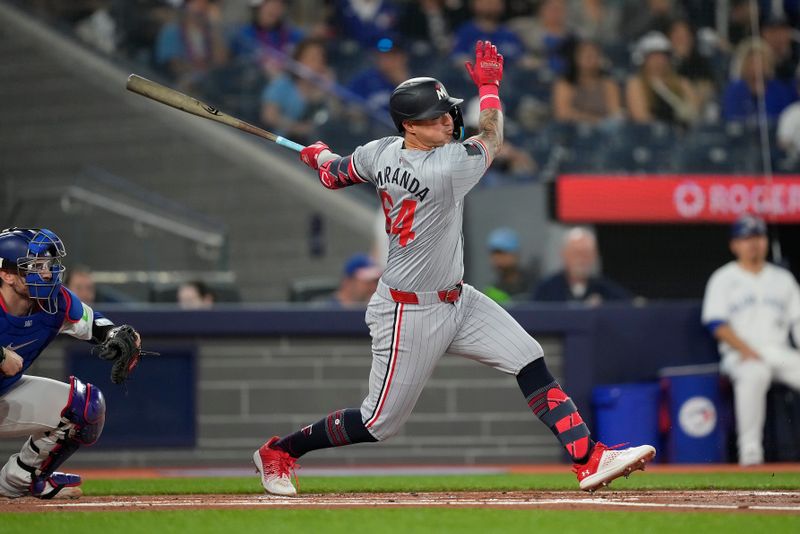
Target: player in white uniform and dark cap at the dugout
x=750 y=306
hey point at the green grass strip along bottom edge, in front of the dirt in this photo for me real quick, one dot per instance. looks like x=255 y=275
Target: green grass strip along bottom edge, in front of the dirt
x=397 y=520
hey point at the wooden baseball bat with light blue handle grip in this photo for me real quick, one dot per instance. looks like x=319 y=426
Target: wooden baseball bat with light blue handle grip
x=178 y=100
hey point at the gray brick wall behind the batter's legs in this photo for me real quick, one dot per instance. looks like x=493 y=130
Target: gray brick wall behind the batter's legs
x=250 y=389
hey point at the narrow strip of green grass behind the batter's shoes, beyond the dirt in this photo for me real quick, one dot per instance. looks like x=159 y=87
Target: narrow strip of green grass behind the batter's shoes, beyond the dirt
x=566 y=481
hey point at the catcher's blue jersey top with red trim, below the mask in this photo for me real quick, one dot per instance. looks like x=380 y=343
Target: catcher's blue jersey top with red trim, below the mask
x=29 y=336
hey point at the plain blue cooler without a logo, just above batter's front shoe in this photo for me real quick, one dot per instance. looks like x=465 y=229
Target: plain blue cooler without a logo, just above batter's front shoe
x=627 y=413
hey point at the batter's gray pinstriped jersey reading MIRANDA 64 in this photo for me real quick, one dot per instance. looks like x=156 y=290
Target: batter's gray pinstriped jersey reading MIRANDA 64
x=422 y=193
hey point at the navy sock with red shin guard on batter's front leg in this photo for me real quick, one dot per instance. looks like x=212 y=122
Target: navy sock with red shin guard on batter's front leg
x=550 y=404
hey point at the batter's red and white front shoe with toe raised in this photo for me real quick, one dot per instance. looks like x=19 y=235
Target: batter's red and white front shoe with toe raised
x=608 y=463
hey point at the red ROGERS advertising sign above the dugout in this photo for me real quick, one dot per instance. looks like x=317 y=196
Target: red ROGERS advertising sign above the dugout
x=676 y=198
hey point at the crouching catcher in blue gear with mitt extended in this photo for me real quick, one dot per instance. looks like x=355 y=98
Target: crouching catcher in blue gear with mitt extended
x=57 y=417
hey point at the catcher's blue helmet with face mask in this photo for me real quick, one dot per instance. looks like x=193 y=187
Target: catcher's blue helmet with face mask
x=36 y=255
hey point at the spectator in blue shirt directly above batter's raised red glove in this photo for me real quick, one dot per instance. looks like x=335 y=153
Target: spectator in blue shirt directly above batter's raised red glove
x=486 y=25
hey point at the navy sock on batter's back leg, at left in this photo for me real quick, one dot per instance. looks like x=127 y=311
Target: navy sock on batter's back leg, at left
x=341 y=427
